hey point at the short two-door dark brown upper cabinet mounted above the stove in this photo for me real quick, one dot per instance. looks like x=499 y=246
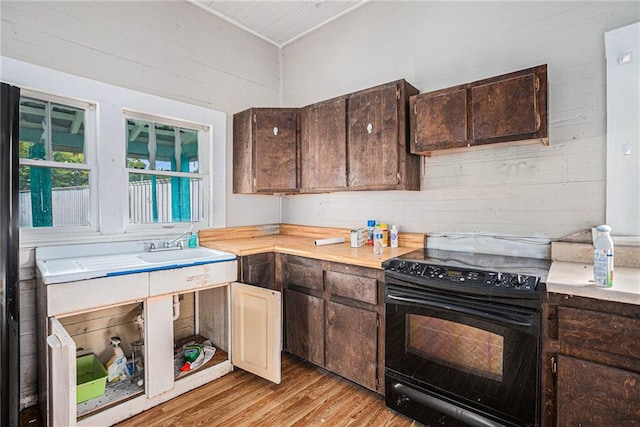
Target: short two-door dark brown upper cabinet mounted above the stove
x=510 y=107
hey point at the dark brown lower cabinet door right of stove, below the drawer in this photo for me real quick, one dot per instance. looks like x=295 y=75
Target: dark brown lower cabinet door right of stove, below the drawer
x=591 y=394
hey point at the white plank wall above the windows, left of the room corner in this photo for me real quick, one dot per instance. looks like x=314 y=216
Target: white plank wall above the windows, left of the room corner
x=167 y=48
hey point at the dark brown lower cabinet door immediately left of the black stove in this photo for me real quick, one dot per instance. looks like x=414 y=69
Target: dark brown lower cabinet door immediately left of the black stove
x=351 y=343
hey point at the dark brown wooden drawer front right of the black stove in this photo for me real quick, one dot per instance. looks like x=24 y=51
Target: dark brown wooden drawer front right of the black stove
x=599 y=331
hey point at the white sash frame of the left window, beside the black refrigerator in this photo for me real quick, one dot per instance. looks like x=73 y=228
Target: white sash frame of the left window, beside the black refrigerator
x=90 y=156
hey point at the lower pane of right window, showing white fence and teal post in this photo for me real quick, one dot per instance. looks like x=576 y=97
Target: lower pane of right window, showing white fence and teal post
x=159 y=199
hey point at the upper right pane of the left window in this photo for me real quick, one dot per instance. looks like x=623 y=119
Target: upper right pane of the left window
x=67 y=125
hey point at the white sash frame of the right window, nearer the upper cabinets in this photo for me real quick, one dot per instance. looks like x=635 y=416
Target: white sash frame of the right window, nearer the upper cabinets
x=205 y=141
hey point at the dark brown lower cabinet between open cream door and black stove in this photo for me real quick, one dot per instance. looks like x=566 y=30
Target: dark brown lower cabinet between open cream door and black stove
x=333 y=317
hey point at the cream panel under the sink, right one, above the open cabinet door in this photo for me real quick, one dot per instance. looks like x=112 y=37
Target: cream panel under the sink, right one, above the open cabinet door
x=163 y=282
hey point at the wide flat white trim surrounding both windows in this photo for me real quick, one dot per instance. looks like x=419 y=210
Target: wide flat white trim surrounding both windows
x=109 y=158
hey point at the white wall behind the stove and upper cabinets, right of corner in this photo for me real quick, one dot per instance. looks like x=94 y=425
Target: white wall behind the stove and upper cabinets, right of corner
x=529 y=190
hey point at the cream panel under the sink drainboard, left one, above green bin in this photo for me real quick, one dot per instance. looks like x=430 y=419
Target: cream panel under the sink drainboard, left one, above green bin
x=82 y=295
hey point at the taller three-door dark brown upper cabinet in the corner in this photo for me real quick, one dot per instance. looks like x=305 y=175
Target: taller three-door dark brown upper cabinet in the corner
x=353 y=142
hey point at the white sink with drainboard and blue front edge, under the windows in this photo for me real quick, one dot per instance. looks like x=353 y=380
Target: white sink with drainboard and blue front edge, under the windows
x=58 y=264
